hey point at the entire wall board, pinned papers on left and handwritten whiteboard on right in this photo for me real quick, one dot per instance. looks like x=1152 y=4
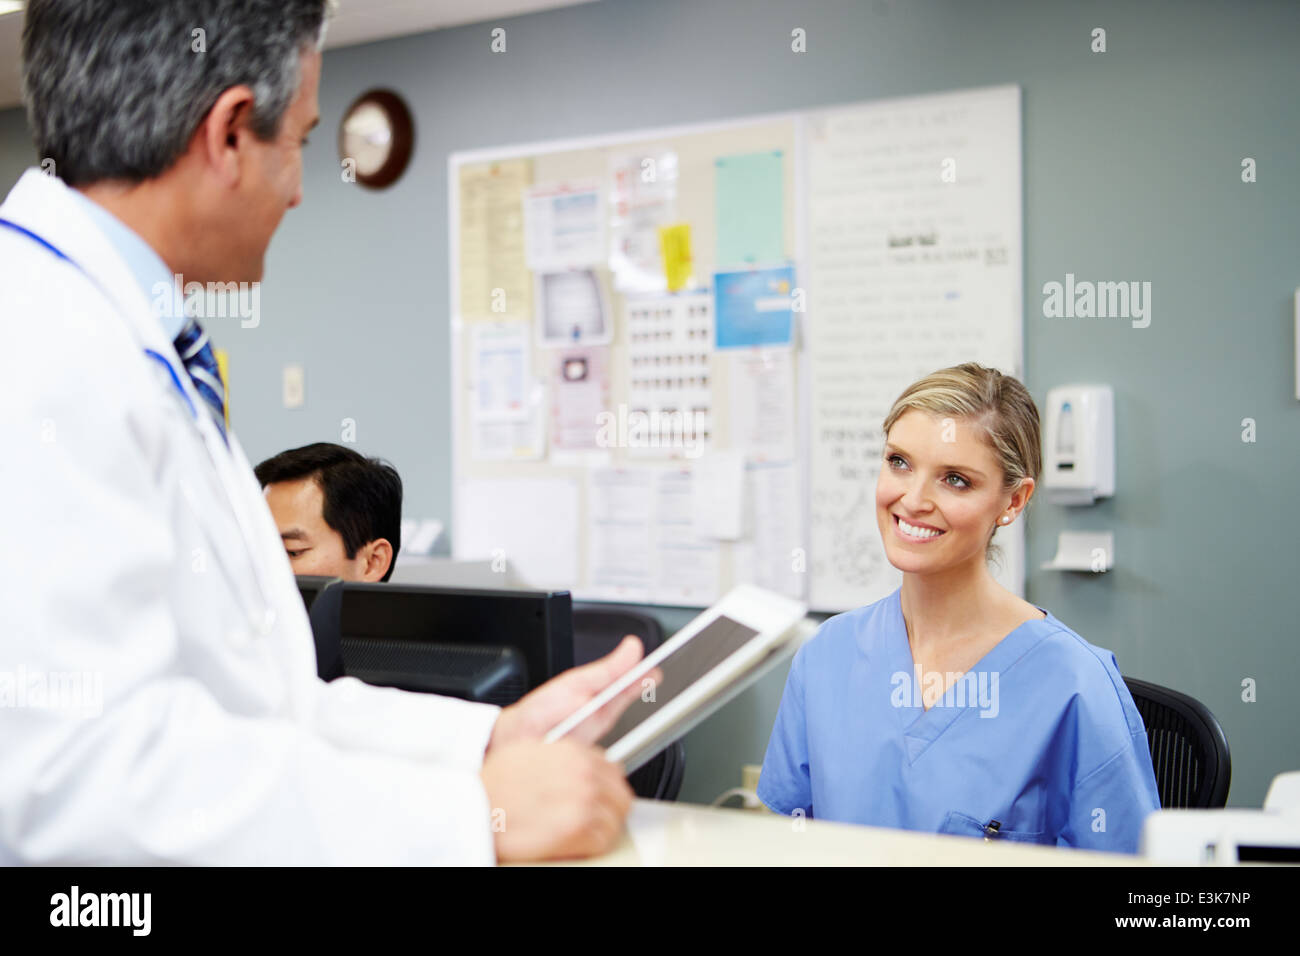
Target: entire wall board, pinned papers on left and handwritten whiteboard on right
x=673 y=349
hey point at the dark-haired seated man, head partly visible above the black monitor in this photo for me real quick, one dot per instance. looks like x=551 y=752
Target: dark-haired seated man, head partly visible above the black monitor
x=339 y=513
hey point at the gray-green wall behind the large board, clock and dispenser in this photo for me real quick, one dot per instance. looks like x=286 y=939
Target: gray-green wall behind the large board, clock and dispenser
x=1132 y=172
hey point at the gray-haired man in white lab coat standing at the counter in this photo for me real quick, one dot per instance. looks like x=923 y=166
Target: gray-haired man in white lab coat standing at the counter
x=159 y=699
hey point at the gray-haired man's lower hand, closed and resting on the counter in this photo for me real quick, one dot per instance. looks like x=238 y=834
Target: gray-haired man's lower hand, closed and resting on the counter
x=554 y=802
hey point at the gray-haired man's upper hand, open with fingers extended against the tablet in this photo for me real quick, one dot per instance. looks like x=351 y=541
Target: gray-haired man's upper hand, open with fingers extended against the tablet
x=535 y=715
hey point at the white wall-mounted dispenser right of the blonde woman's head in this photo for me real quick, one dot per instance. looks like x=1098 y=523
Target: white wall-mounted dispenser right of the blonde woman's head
x=1080 y=445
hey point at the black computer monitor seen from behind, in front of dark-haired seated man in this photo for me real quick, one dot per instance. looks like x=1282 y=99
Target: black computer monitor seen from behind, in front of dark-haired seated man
x=478 y=644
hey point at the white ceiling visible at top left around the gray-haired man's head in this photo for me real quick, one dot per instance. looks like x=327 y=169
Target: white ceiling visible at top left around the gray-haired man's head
x=357 y=21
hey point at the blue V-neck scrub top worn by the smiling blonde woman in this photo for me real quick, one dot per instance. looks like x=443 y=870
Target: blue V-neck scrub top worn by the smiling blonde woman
x=1042 y=736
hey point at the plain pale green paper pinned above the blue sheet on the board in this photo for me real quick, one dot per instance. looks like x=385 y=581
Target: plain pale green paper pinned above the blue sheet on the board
x=751 y=197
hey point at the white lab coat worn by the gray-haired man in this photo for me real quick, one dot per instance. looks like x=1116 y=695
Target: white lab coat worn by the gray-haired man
x=138 y=552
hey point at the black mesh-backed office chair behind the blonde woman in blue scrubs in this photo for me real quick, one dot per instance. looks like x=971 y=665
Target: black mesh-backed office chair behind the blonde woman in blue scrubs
x=1189 y=749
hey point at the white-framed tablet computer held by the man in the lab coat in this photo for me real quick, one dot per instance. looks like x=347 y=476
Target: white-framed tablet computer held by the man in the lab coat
x=701 y=667
